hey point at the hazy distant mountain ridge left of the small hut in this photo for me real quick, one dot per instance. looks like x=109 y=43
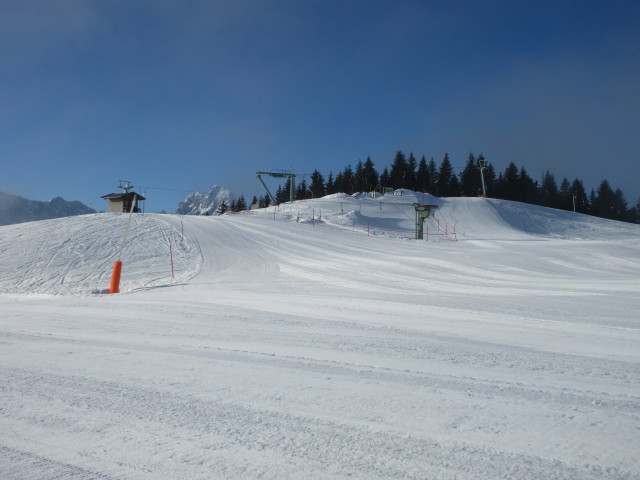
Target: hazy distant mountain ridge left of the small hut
x=17 y=209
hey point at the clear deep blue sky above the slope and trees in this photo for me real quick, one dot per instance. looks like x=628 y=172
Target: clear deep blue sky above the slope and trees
x=179 y=96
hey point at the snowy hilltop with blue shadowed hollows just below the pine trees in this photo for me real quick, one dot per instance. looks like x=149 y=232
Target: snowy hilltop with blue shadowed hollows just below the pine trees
x=459 y=218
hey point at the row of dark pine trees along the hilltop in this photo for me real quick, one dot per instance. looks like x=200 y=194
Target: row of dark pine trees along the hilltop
x=442 y=181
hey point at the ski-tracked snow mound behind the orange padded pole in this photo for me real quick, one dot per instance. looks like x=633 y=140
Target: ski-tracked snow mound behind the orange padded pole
x=75 y=255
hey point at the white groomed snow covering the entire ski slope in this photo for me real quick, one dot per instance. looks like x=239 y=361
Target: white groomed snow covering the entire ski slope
x=321 y=340
